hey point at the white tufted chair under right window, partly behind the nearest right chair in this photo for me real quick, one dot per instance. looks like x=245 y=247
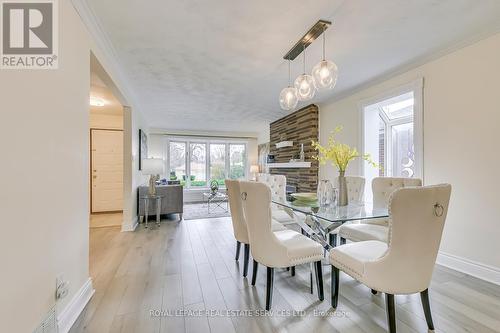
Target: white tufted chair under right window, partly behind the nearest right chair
x=376 y=229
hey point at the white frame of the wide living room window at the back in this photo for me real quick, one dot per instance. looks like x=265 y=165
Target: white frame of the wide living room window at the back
x=207 y=141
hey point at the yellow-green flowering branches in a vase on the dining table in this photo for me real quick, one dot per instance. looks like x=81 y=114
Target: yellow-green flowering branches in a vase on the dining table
x=339 y=155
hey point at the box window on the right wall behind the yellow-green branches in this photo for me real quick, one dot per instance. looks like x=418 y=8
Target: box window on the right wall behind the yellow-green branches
x=392 y=134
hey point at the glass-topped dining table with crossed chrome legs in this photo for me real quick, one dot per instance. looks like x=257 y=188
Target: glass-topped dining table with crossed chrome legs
x=320 y=222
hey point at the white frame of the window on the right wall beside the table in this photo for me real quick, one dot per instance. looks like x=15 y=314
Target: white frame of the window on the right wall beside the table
x=415 y=86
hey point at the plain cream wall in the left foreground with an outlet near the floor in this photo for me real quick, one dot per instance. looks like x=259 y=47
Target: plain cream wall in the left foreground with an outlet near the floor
x=44 y=126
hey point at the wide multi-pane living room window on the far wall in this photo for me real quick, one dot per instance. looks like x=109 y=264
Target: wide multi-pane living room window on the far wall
x=196 y=162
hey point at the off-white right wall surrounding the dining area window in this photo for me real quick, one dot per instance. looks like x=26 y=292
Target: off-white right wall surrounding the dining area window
x=461 y=147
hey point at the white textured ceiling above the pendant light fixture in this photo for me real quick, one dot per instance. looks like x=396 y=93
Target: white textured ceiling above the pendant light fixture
x=217 y=65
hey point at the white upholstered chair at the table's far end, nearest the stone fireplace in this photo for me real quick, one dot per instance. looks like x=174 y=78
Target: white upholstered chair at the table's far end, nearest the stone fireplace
x=277 y=185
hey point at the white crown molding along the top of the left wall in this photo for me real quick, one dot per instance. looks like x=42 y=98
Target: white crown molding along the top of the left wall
x=105 y=52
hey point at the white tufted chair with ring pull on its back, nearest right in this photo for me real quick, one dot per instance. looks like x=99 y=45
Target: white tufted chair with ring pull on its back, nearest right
x=404 y=264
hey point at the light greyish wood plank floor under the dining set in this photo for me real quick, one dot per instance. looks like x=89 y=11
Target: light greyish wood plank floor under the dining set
x=190 y=265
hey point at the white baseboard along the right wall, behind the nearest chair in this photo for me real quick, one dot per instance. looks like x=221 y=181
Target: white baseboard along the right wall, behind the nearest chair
x=476 y=269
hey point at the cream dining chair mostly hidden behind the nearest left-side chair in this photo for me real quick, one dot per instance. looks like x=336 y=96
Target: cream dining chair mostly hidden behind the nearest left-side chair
x=239 y=223
